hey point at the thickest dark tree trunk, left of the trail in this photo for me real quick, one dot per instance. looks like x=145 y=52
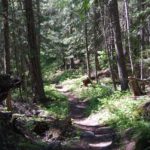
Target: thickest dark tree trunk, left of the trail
x=34 y=53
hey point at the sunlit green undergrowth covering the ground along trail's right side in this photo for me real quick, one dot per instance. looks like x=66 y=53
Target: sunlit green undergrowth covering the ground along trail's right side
x=118 y=109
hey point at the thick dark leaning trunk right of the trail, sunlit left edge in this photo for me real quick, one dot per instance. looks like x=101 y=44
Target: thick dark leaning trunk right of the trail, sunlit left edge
x=114 y=14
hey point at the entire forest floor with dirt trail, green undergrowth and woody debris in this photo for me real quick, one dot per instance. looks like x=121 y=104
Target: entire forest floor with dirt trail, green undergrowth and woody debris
x=77 y=118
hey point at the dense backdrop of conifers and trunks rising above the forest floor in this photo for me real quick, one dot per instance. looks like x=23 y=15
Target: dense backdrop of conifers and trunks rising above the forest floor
x=88 y=35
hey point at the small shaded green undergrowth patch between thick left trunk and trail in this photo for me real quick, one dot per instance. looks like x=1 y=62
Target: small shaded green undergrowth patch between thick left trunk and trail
x=58 y=106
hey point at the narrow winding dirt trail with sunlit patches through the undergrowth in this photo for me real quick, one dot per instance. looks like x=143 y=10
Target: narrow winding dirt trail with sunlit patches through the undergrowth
x=93 y=136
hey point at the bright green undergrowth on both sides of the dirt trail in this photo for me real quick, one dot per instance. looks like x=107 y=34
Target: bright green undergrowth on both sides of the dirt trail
x=118 y=109
